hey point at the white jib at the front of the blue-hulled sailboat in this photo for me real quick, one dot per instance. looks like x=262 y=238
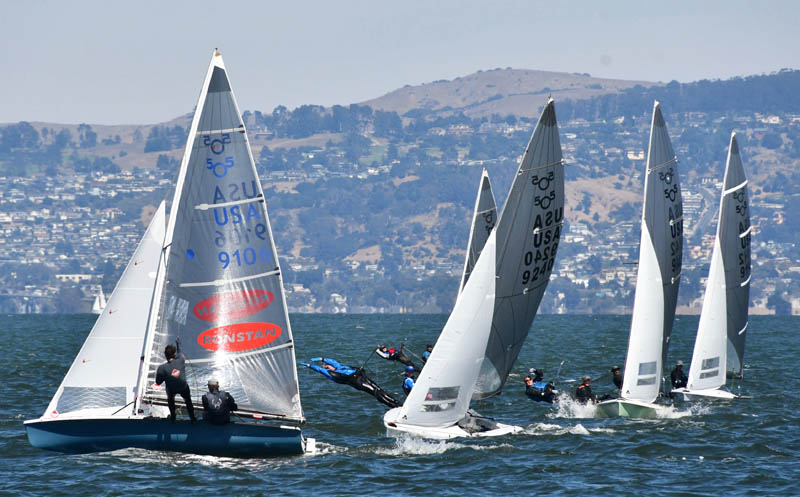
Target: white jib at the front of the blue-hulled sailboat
x=103 y=377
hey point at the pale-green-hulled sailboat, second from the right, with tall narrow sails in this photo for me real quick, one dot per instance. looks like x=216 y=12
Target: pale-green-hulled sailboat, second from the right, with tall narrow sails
x=659 y=272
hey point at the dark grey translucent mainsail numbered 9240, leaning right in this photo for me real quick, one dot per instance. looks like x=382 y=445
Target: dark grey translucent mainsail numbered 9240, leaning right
x=528 y=233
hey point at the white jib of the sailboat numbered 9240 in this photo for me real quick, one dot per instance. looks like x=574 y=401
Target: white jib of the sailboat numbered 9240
x=441 y=395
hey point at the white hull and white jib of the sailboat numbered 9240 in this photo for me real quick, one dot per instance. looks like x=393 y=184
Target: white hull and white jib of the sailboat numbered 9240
x=438 y=405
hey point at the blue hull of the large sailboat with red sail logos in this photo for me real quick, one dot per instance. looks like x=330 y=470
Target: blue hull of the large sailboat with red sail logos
x=78 y=436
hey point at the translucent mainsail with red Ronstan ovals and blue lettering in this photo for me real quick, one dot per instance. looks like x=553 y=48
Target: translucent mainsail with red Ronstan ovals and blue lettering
x=220 y=291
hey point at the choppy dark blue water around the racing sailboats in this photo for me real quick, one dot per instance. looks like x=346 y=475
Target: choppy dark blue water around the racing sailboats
x=744 y=447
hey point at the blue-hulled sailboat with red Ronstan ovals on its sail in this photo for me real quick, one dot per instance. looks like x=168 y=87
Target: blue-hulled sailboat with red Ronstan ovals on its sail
x=214 y=285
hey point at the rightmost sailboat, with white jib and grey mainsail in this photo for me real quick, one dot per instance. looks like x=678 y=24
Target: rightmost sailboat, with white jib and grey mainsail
x=719 y=345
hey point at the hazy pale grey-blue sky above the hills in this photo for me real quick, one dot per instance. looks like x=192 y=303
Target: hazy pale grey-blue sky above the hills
x=109 y=62
